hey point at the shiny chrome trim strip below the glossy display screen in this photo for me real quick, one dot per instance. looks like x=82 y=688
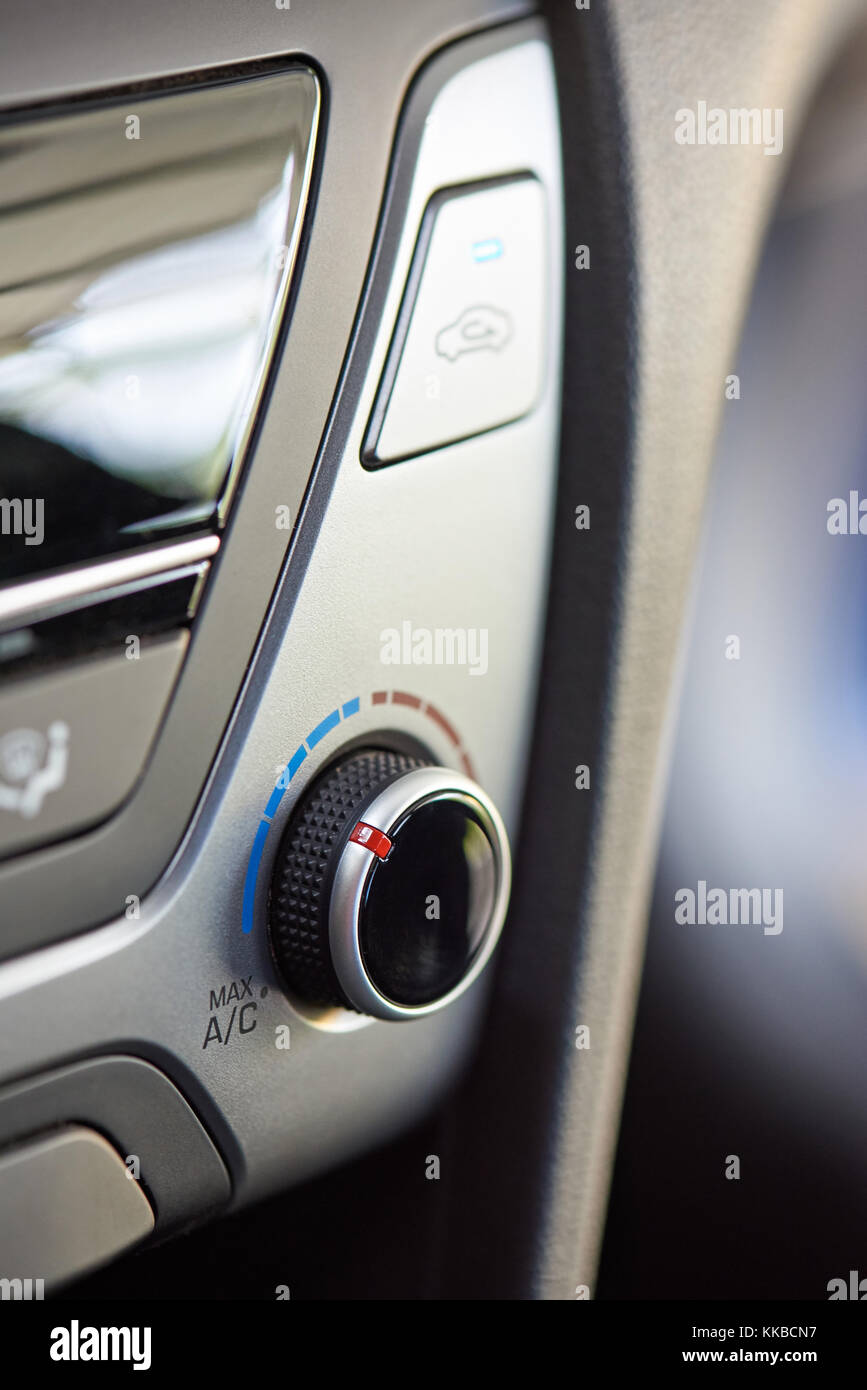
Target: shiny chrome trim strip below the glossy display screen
x=23 y=603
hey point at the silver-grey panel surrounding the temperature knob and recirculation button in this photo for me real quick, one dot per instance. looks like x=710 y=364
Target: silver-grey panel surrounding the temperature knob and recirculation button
x=190 y=983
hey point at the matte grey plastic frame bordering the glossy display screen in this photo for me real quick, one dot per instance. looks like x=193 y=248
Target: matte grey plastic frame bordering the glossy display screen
x=369 y=55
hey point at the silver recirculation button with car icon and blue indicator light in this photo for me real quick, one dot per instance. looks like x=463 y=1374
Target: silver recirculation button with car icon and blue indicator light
x=469 y=350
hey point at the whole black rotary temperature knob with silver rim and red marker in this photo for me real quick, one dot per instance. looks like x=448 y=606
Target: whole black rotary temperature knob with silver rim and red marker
x=391 y=886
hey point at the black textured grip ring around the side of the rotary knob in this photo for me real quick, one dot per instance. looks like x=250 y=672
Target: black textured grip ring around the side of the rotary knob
x=306 y=862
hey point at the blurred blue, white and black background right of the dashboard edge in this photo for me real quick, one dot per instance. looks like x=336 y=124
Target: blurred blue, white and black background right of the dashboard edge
x=754 y=1045
